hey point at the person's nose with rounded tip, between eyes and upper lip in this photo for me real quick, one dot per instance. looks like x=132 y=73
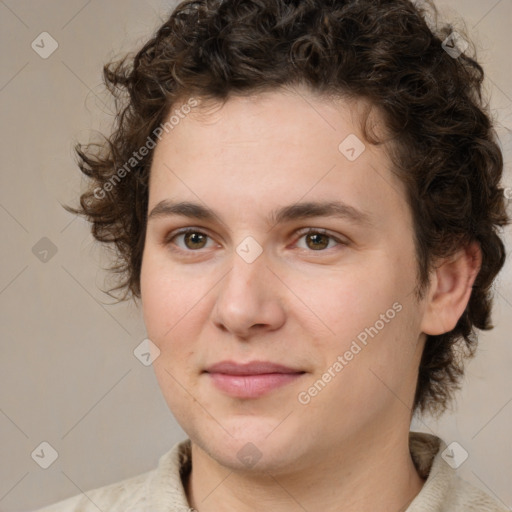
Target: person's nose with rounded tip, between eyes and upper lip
x=250 y=299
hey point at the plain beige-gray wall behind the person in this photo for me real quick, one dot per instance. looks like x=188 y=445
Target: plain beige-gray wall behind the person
x=69 y=376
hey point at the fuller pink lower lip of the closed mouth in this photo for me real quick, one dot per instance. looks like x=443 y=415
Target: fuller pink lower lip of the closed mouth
x=251 y=386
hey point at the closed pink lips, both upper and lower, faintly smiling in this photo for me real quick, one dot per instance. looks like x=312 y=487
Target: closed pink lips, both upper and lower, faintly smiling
x=250 y=380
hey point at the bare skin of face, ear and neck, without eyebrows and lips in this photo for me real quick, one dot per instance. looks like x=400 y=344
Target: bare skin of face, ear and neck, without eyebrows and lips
x=296 y=304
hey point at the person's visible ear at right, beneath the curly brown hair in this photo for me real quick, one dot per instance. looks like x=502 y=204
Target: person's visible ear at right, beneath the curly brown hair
x=450 y=288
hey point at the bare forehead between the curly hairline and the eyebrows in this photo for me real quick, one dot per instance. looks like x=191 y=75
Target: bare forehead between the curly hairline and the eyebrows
x=272 y=147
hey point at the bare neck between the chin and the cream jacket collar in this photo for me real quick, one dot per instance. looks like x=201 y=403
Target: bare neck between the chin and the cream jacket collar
x=365 y=474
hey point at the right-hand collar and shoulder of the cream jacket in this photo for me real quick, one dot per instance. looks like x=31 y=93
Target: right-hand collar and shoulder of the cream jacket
x=444 y=489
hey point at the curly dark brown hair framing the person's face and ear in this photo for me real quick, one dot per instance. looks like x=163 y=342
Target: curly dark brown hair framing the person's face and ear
x=389 y=52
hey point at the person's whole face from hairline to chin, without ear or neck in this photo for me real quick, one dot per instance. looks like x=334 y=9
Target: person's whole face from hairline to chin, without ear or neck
x=299 y=252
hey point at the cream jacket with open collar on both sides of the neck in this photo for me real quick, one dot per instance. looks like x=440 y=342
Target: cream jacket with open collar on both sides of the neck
x=161 y=490
